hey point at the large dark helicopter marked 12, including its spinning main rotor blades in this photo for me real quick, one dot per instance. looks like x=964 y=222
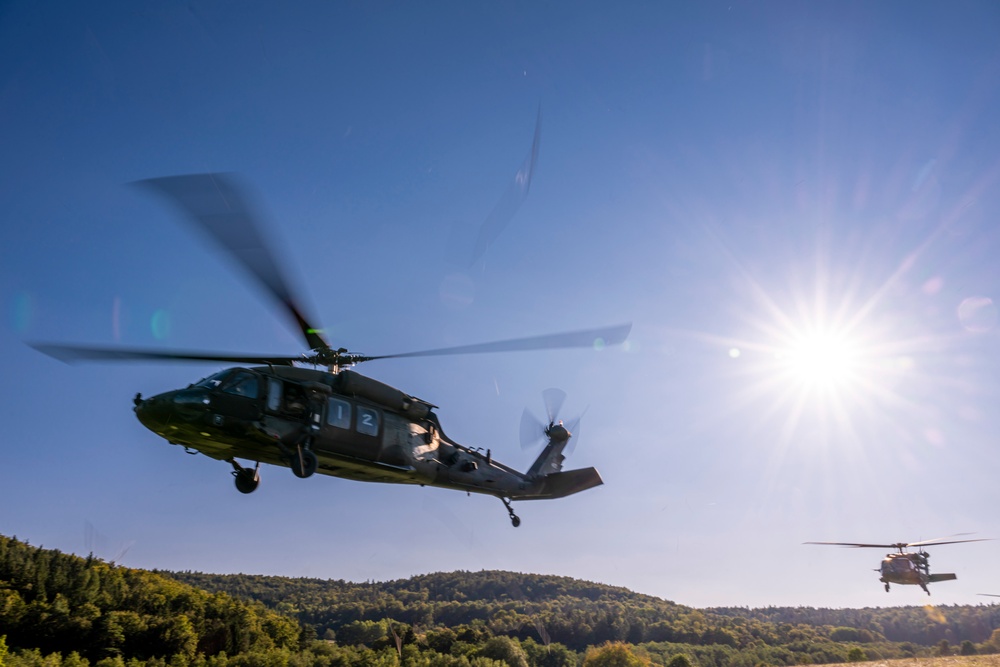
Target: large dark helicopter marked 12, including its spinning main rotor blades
x=327 y=419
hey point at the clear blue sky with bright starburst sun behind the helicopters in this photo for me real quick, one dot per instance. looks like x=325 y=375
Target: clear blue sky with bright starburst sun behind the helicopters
x=746 y=182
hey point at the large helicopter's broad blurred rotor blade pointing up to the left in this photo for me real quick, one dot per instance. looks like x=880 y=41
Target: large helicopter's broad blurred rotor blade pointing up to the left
x=220 y=208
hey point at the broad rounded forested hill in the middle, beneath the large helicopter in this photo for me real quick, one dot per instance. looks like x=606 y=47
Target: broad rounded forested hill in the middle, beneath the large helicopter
x=573 y=612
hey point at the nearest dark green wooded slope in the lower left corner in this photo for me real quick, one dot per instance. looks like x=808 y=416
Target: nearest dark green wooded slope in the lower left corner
x=62 y=603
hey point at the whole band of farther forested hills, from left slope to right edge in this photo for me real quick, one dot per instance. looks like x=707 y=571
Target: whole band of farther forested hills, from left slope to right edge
x=580 y=614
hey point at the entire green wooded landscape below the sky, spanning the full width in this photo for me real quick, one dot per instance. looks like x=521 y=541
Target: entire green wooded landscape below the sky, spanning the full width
x=59 y=609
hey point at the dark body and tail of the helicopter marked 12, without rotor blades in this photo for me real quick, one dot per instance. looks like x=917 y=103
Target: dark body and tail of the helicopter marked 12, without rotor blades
x=340 y=424
